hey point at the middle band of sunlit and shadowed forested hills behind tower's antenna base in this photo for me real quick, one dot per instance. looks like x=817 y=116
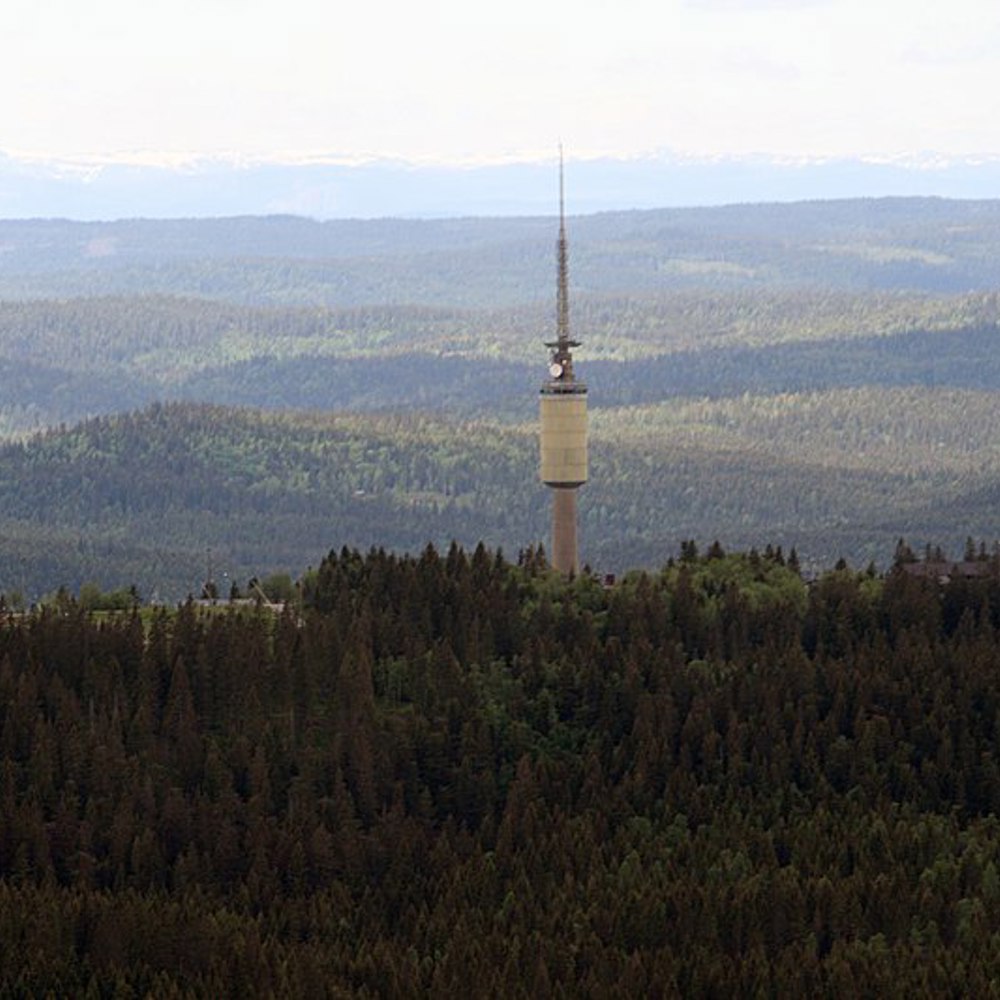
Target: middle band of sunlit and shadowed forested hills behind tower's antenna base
x=62 y=361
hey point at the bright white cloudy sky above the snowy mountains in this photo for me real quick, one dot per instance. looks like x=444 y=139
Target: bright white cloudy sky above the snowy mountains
x=461 y=80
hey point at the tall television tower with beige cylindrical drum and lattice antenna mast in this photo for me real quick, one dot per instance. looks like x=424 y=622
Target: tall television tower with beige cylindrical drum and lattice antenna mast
x=563 y=409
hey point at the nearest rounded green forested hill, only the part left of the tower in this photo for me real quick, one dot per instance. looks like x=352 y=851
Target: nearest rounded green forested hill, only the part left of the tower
x=143 y=497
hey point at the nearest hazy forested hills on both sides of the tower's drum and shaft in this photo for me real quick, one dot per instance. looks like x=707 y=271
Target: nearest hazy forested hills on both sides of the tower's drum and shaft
x=141 y=498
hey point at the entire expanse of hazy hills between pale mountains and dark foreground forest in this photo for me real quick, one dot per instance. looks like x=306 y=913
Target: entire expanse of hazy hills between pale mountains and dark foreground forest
x=822 y=375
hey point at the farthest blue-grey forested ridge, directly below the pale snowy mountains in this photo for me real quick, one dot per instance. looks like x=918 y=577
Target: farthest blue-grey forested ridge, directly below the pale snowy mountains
x=903 y=243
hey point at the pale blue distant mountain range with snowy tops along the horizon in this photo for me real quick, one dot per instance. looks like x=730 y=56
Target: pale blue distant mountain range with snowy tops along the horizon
x=380 y=189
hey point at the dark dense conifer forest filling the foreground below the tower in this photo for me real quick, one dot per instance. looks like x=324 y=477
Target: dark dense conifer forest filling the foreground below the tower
x=449 y=769
